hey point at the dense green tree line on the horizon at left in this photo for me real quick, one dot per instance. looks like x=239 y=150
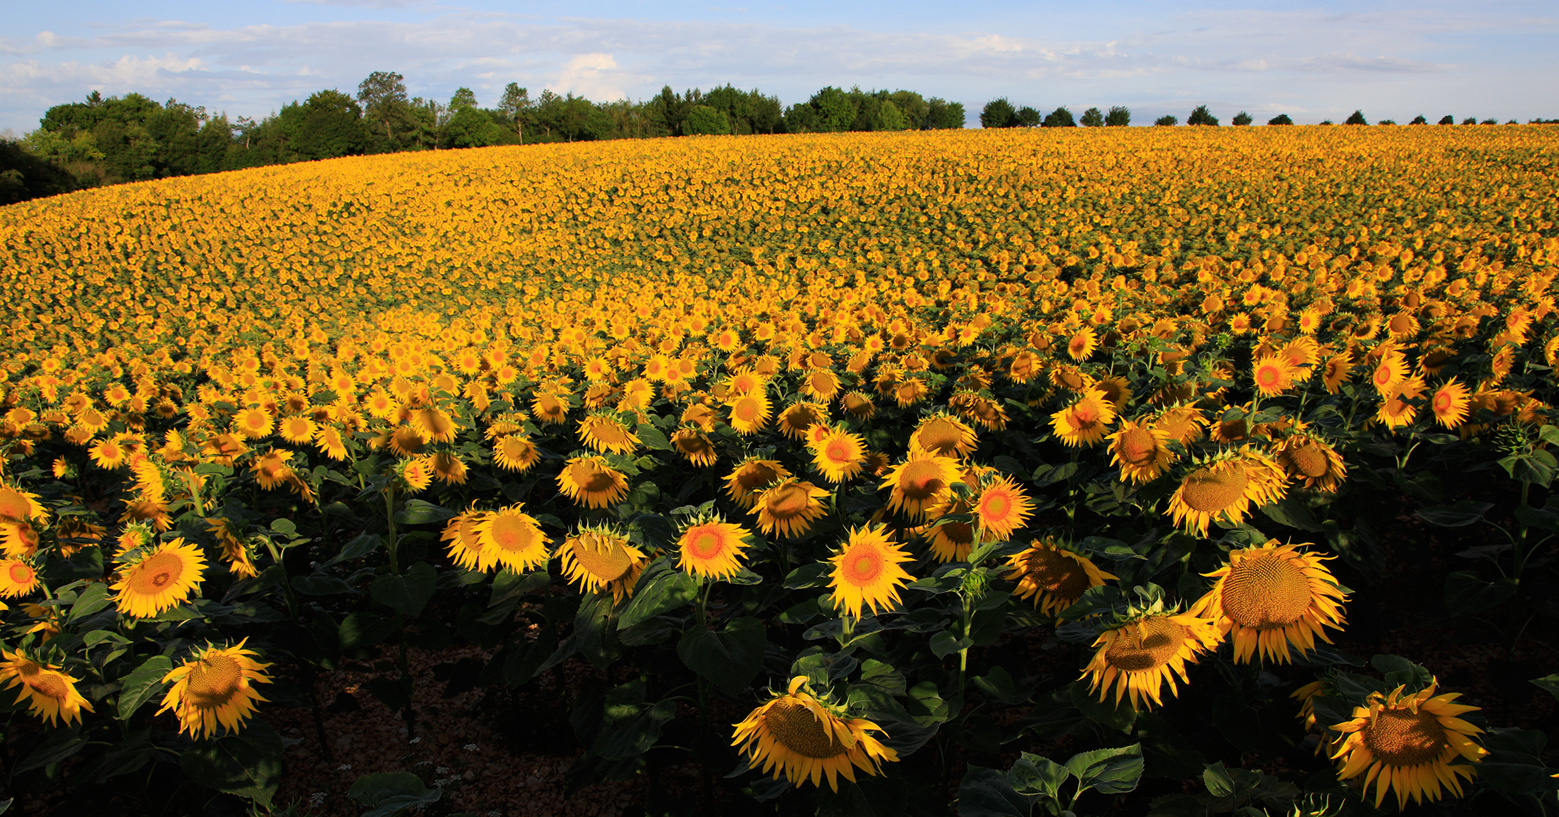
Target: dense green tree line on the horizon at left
x=133 y=138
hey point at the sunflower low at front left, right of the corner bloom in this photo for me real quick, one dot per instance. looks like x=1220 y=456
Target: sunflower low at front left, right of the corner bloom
x=214 y=687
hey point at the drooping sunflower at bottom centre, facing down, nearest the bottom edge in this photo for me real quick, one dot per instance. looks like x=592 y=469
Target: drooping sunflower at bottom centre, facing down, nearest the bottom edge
x=805 y=738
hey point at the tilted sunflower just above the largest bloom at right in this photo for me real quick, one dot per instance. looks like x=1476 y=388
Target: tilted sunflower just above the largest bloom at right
x=1226 y=487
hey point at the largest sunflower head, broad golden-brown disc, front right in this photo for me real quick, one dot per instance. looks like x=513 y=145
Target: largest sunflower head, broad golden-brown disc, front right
x=1271 y=598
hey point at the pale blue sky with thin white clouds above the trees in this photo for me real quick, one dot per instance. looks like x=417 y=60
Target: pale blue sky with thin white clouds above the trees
x=1313 y=62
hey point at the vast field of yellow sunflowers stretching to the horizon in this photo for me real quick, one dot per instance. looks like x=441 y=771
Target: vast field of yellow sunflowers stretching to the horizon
x=999 y=473
